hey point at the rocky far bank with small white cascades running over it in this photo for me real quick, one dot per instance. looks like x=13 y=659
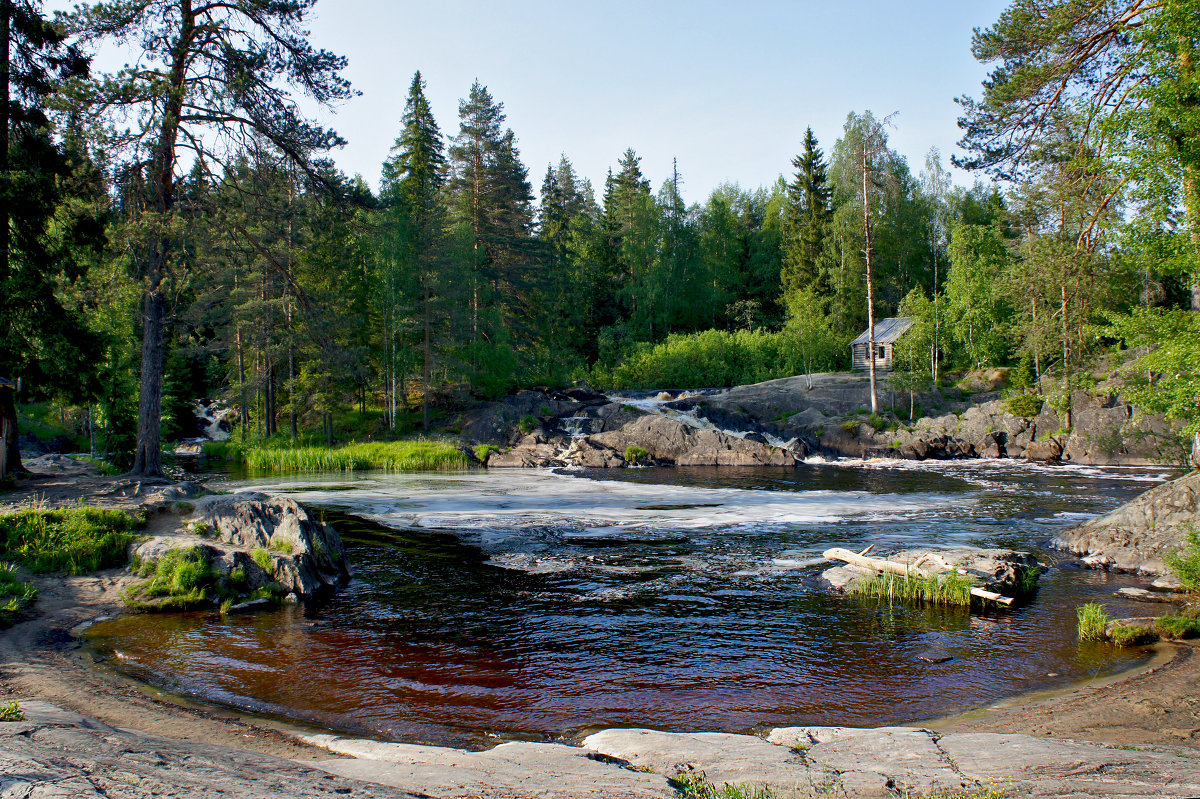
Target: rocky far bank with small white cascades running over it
x=784 y=422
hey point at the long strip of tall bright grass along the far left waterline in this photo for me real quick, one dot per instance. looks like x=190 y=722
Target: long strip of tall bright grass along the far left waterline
x=389 y=456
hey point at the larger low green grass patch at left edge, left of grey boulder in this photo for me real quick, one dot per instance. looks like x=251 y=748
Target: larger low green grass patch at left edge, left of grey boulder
x=76 y=540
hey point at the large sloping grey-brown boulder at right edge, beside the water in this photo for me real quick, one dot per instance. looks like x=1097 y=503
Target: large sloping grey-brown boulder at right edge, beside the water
x=1142 y=533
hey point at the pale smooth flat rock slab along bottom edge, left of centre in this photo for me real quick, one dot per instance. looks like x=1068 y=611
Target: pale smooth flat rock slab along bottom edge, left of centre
x=514 y=771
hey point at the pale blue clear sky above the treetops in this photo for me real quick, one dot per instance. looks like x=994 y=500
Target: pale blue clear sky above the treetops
x=728 y=88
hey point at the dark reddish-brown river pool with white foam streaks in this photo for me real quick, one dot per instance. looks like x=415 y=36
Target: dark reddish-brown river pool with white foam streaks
x=539 y=605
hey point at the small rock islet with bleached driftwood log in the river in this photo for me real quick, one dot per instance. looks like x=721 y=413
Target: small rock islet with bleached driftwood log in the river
x=999 y=576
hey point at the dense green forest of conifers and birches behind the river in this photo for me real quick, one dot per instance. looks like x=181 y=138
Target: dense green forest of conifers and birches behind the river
x=177 y=231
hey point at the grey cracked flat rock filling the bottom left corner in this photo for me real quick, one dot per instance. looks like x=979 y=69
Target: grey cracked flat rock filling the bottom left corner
x=56 y=753
